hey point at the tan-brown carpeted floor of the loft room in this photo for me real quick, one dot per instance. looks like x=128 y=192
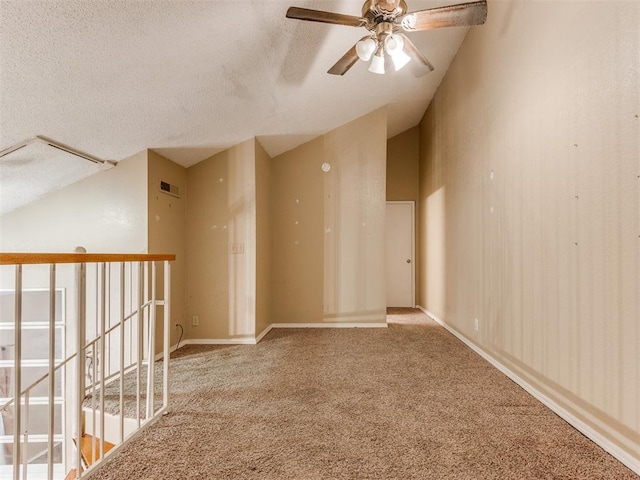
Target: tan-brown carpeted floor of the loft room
x=406 y=402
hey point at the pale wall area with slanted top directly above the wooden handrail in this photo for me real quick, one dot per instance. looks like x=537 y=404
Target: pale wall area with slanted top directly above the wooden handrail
x=105 y=213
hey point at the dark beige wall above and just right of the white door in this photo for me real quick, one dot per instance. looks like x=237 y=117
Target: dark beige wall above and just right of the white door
x=403 y=179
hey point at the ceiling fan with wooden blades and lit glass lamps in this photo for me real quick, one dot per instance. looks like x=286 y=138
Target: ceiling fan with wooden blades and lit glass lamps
x=387 y=20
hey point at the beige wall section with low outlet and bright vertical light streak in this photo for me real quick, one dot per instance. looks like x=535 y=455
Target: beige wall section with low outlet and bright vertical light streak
x=221 y=212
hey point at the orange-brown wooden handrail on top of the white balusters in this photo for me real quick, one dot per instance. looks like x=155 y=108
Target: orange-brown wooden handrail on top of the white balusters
x=48 y=258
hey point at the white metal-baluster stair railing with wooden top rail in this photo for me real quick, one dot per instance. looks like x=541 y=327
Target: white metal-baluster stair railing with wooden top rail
x=111 y=335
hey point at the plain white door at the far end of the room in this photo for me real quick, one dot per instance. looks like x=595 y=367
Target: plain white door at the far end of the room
x=400 y=254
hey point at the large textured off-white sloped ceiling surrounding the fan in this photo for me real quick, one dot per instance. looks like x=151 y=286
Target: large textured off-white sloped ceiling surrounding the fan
x=189 y=78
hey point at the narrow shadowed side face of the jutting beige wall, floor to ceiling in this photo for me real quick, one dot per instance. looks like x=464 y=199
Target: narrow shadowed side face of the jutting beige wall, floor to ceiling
x=263 y=239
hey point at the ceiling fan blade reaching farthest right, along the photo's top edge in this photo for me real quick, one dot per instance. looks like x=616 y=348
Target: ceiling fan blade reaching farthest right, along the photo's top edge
x=462 y=15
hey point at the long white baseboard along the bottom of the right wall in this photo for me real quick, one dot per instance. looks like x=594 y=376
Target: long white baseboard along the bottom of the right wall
x=606 y=444
